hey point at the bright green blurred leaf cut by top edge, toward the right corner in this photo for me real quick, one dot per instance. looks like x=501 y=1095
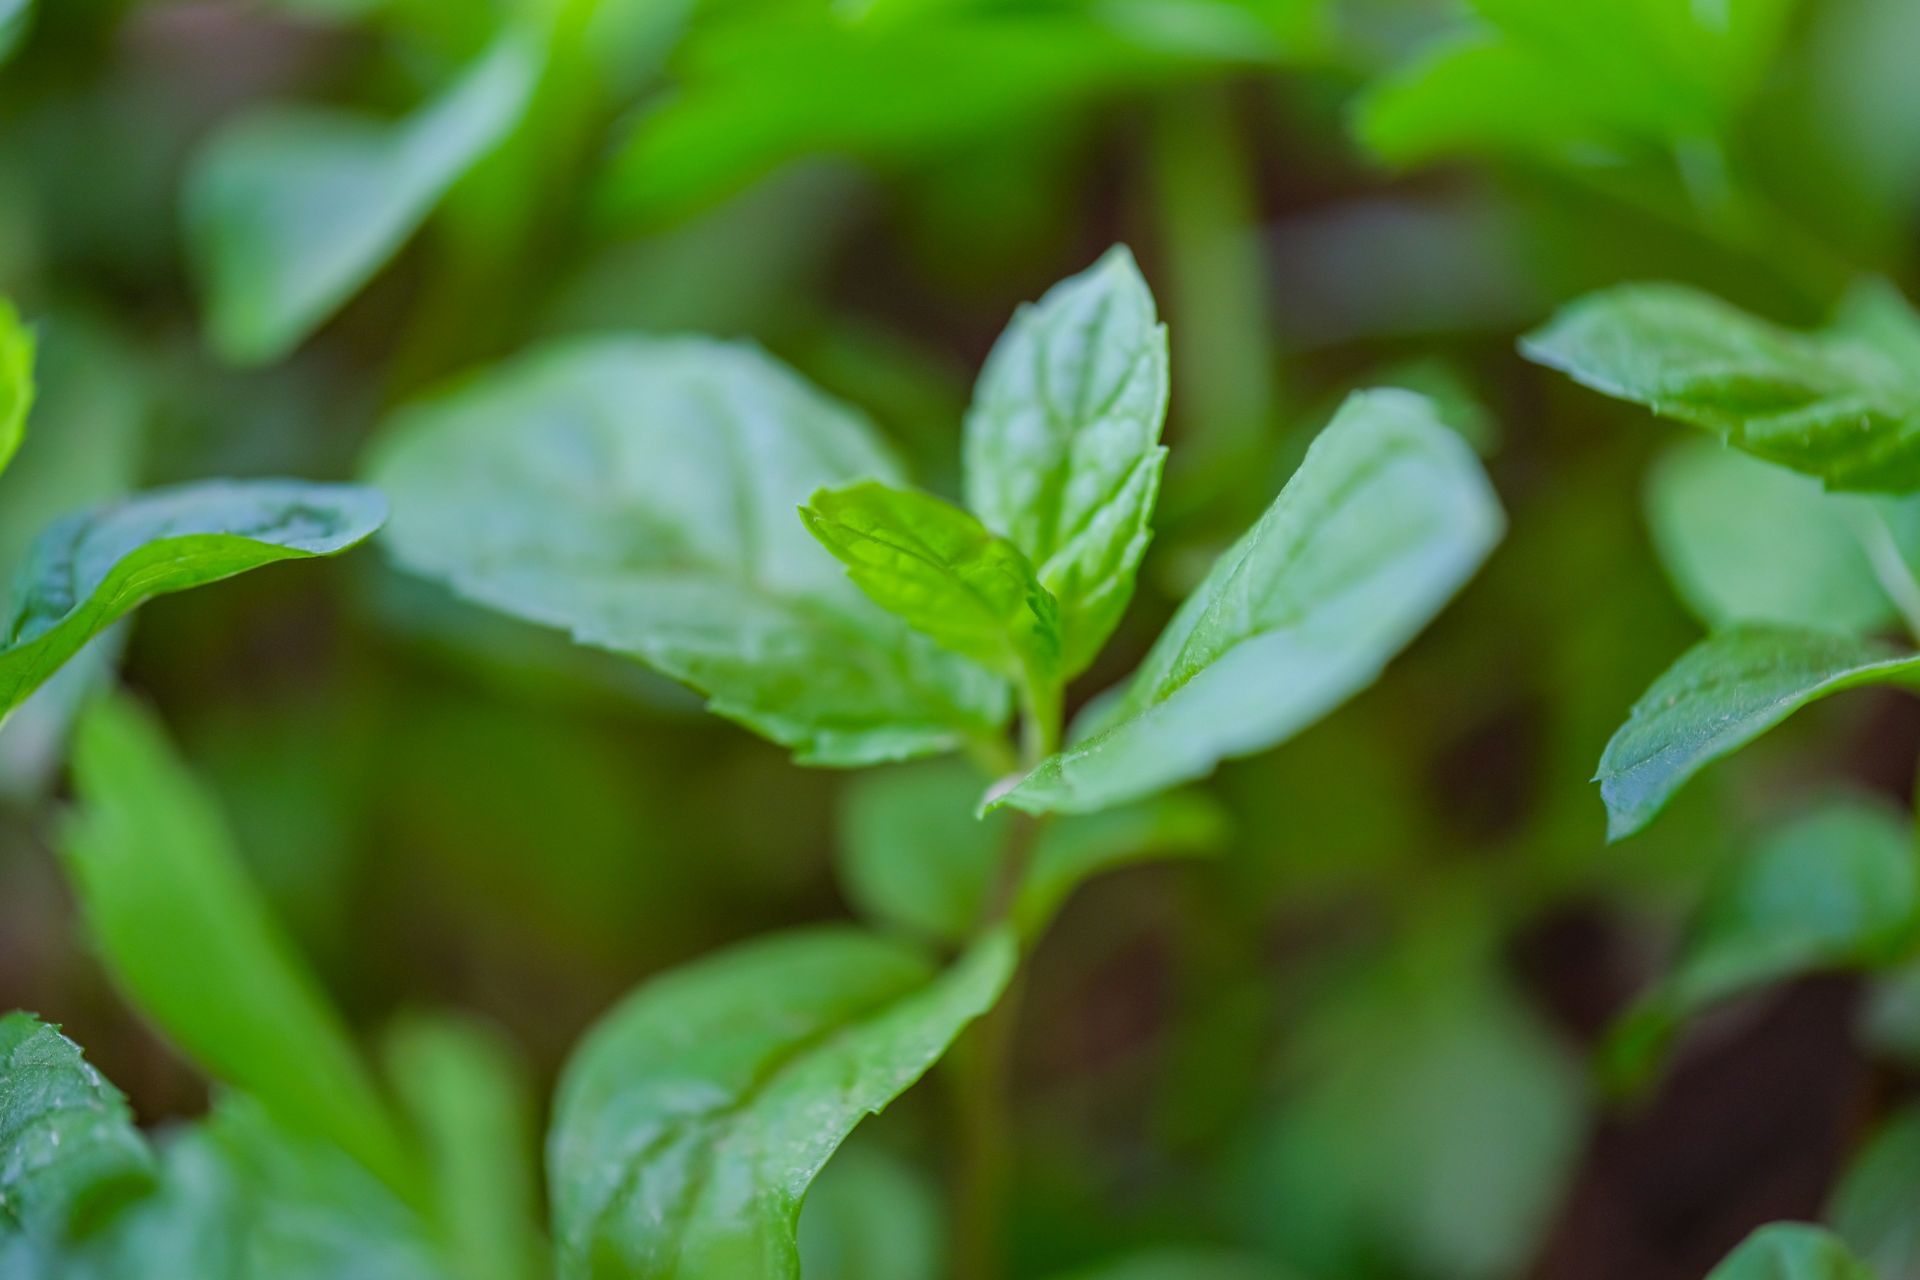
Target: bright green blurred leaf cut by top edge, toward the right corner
x=1570 y=80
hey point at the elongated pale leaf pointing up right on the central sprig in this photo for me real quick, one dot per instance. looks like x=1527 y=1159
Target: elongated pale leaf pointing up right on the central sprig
x=1381 y=525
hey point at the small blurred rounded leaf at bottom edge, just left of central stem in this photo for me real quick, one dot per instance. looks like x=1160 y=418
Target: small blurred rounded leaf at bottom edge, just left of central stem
x=871 y=1218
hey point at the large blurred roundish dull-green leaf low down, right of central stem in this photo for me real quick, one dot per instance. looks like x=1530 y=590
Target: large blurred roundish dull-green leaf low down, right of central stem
x=1433 y=1120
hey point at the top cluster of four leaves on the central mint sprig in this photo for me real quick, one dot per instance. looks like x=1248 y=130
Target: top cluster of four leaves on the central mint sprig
x=640 y=494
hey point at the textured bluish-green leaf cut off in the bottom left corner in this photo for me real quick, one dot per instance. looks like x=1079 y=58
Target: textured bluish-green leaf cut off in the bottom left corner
x=68 y=1149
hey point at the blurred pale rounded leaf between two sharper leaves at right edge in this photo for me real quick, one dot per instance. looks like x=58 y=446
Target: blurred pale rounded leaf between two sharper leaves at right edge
x=1752 y=542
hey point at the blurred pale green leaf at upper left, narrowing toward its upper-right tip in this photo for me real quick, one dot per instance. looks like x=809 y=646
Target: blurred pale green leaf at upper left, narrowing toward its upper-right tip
x=293 y=210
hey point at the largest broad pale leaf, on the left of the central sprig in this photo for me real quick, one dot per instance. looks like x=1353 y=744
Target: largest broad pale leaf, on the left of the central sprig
x=640 y=494
